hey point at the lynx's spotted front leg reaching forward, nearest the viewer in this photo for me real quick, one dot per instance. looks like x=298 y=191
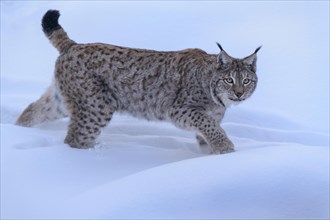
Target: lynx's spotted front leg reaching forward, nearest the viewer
x=210 y=131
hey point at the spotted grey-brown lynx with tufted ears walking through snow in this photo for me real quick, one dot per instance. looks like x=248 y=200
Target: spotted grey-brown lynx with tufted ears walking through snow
x=190 y=88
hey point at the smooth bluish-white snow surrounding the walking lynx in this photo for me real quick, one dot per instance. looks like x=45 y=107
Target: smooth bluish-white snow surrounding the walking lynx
x=141 y=169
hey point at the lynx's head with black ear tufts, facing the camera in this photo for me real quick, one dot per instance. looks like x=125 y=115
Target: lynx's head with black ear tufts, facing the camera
x=235 y=79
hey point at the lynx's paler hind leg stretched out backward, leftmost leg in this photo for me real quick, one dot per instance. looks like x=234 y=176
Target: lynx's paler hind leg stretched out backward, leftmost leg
x=48 y=107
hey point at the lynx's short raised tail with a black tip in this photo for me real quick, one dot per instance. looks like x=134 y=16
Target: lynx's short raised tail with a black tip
x=54 y=32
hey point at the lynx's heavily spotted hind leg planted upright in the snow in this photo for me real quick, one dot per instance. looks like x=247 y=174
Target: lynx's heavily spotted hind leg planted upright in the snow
x=87 y=120
